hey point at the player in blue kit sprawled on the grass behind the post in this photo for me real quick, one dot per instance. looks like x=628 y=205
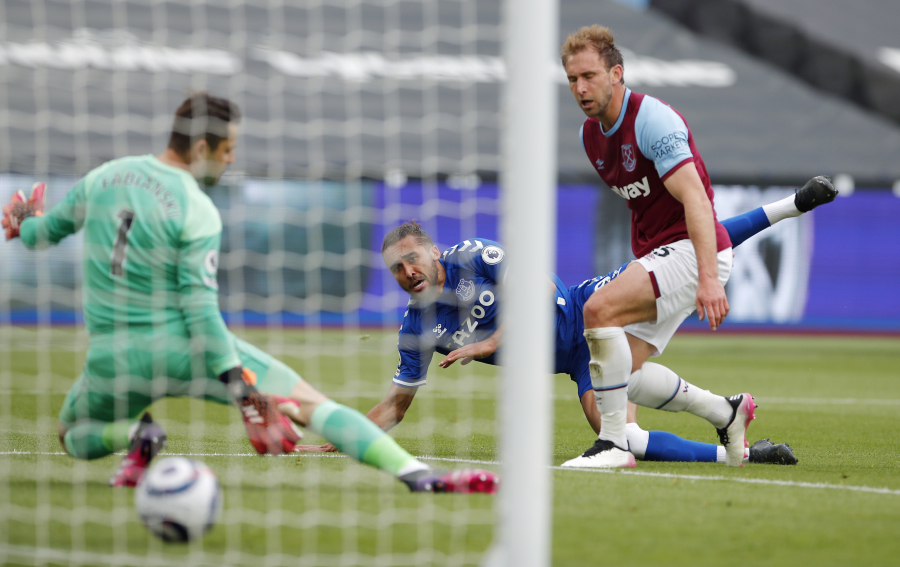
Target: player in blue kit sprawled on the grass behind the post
x=453 y=310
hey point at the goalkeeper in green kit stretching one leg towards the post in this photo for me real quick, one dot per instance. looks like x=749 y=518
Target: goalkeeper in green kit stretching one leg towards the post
x=151 y=249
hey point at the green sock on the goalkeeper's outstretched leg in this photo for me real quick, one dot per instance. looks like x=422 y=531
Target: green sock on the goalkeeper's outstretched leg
x=355 y=435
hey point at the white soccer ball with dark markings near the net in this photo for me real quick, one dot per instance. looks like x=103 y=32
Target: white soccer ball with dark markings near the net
x=178 y=499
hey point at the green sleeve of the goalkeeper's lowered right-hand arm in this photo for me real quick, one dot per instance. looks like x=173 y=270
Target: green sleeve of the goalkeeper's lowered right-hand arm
x=198 y=263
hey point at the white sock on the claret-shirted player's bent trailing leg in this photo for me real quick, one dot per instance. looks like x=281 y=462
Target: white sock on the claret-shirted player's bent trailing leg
x=656 y=386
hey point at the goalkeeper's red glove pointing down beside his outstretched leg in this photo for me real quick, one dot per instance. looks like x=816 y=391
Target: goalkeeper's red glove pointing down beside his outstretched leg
x=269 y=430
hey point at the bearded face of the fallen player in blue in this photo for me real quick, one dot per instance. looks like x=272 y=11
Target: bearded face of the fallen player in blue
x=416 y=269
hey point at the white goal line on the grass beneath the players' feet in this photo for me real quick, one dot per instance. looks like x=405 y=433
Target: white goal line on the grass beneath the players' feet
x=762 y=481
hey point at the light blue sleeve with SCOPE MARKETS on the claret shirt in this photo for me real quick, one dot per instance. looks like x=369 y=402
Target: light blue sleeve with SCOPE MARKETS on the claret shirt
x=662 y=136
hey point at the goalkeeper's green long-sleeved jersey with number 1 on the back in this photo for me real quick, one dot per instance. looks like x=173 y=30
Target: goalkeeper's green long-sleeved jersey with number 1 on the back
x=151 y=249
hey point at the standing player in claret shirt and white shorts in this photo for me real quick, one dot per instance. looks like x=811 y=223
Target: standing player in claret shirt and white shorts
x=645 y=152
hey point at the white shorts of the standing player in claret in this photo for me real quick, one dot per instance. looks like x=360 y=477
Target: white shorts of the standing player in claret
x=675 y=277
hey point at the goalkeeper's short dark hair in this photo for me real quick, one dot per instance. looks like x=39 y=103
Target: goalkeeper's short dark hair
x=202 y=116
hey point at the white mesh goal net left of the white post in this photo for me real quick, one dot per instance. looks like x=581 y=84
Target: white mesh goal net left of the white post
x=357 y=116
